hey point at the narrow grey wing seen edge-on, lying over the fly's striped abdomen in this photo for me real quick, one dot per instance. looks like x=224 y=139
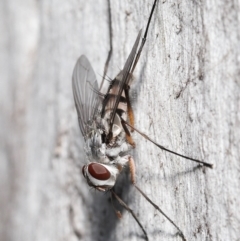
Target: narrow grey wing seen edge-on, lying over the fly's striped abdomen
x=125 y=73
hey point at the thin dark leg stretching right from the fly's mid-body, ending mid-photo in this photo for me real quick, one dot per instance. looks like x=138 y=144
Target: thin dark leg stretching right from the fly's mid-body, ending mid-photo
x=165 y=149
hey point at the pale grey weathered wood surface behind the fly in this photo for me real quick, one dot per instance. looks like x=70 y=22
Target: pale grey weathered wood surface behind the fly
x=186 y=96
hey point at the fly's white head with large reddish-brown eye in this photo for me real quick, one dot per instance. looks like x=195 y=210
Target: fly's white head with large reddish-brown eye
x=100 y=176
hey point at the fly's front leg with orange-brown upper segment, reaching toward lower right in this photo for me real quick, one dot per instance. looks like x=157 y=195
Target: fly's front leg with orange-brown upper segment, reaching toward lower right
x=133 y=180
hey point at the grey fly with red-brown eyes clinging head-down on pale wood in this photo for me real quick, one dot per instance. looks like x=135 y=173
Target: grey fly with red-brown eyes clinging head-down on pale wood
x=106 y=121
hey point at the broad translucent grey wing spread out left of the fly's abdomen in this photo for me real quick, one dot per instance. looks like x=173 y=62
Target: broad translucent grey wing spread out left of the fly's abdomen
x=85 y=93
